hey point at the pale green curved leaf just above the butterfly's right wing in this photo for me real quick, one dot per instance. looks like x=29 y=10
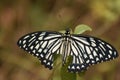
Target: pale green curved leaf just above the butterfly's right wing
x=81 y=29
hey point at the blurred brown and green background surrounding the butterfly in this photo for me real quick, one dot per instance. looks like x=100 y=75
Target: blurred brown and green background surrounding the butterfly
x=18 y=17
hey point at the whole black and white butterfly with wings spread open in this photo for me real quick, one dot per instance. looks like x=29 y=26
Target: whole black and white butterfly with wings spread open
x=85 y=50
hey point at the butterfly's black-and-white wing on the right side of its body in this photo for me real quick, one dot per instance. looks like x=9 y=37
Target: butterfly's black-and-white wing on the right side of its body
x=87 y=50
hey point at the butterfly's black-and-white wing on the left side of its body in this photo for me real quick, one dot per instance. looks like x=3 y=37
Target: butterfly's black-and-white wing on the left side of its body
x=42 y=45
